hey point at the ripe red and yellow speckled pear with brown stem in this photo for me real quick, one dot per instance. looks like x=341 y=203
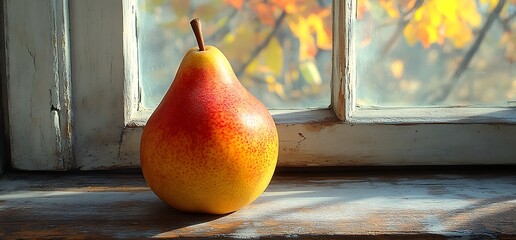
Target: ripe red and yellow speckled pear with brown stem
x=210 y=146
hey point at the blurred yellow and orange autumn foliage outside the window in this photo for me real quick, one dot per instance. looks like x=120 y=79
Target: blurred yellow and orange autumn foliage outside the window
x=281 y=49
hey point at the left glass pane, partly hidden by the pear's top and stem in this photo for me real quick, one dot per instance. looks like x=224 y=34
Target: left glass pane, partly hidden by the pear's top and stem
x=280 y=50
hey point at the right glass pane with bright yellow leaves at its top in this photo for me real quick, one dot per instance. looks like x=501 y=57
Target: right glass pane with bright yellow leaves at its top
x=436 y=53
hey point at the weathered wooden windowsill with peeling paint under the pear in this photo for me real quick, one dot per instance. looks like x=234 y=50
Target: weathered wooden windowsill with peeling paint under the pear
x=362 y=205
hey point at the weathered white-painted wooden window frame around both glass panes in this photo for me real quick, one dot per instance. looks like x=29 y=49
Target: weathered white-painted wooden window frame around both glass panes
x=107 y=122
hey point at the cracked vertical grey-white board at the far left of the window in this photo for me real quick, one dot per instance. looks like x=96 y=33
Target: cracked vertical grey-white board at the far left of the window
x=38 y=84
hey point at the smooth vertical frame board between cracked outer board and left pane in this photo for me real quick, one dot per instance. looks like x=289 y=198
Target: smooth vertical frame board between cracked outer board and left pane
x=96 y=32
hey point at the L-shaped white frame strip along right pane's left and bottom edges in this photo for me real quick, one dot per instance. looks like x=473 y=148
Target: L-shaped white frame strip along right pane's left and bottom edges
x=352 y=113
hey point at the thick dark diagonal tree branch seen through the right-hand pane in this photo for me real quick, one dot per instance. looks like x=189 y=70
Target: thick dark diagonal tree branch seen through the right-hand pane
x=450 y=86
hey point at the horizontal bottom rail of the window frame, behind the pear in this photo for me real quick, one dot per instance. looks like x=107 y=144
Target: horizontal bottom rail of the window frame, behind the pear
x=315 y=138
